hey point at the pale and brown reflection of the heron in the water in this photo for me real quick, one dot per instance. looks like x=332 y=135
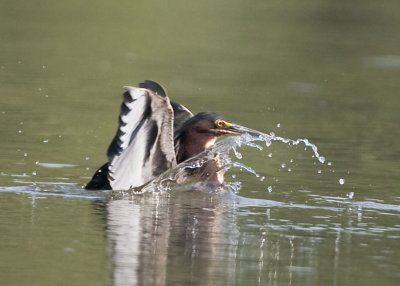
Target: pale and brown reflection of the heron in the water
x=155 y=238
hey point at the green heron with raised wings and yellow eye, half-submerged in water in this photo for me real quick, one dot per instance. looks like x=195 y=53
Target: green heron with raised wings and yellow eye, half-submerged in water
x=154 y=135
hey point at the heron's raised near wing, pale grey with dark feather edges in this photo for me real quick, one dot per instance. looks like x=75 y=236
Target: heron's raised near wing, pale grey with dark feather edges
x=143 y=147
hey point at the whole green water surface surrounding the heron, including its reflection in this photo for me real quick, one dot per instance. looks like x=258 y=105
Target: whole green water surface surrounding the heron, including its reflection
x=323 y=70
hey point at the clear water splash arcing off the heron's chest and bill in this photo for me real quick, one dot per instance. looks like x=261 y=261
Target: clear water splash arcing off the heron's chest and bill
x=219 y=152
